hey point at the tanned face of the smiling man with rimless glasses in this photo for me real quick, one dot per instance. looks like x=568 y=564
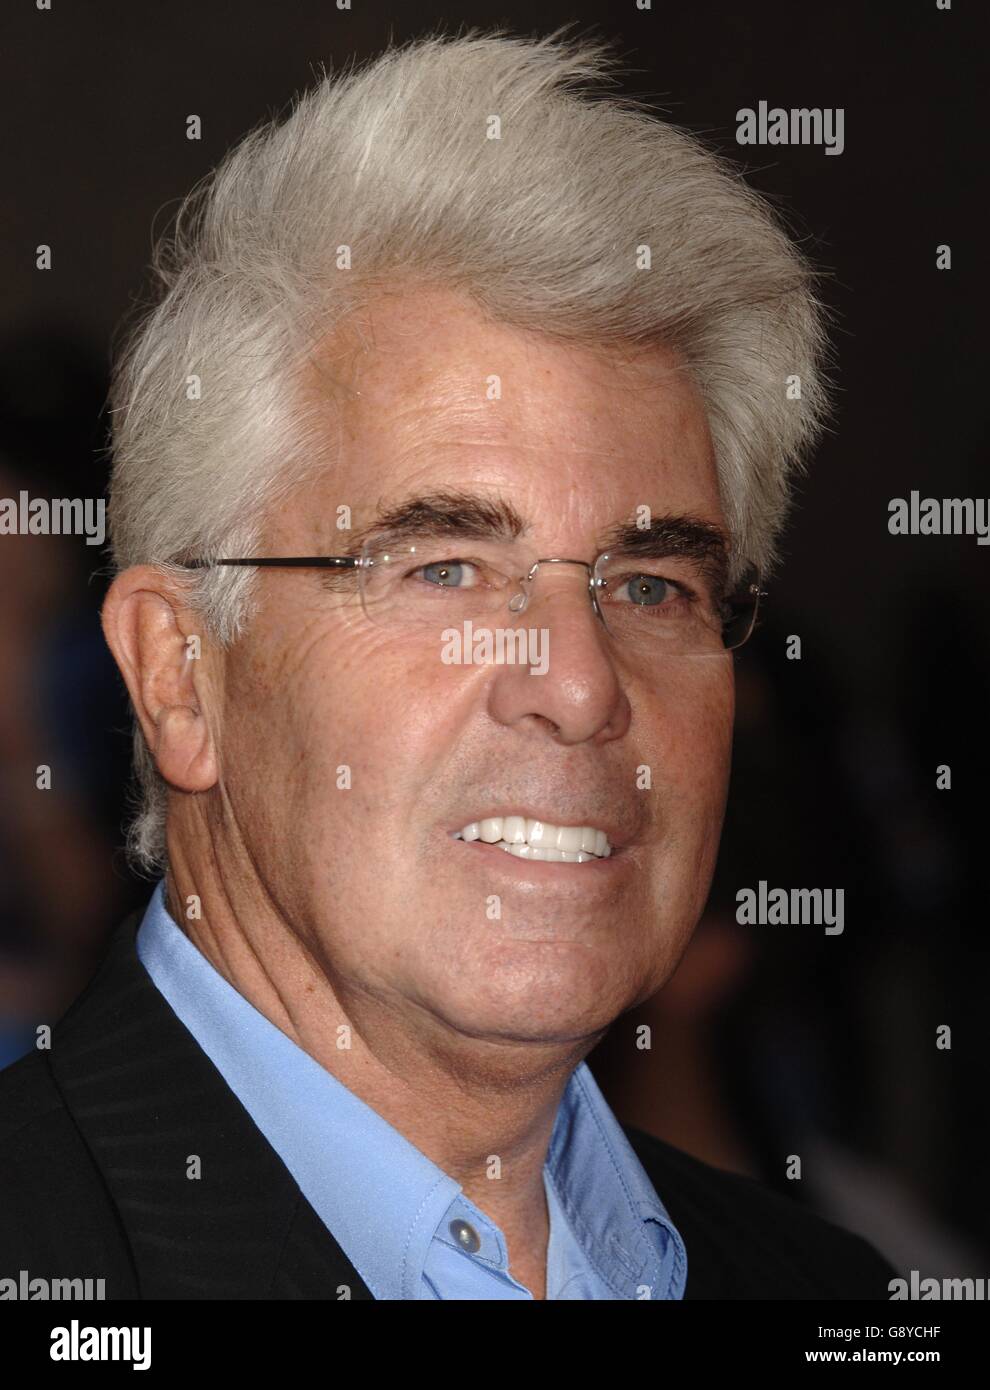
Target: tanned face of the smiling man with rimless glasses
x=396 y=910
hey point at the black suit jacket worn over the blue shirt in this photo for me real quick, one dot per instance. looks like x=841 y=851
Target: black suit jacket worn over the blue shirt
x=97 y=1135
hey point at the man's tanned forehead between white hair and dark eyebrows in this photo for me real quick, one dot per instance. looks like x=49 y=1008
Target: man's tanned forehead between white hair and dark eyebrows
x=423 y=389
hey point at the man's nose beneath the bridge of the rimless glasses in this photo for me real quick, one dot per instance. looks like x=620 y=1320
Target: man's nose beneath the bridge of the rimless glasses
x=579 y=694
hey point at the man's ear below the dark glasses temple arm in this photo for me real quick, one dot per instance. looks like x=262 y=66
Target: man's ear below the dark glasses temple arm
x=147 y=625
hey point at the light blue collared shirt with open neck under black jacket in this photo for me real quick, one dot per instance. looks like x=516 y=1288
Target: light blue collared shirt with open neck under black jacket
x=397 y=1216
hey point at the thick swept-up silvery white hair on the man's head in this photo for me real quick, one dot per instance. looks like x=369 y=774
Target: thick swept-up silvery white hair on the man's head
x=544 y=227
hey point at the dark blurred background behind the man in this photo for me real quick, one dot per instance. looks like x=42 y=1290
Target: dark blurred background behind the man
x=770 y=1042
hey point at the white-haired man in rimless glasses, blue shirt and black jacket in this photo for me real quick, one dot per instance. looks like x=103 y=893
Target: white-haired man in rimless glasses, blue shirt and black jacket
x=498 y=376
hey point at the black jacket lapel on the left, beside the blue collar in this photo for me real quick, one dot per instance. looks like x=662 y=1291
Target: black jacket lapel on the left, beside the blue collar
x=206 y=1206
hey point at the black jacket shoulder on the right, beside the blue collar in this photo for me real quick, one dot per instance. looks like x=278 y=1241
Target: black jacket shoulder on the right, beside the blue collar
x=745 y=1241
